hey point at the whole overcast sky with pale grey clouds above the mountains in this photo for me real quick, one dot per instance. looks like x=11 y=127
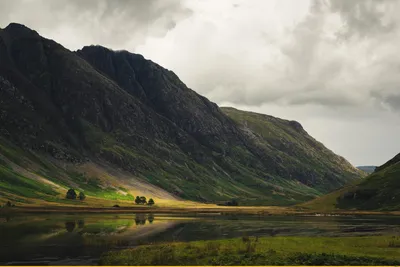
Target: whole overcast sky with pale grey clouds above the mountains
x=332 y=65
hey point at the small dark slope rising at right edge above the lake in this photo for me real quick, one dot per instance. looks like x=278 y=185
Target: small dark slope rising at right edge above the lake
x=378 y=191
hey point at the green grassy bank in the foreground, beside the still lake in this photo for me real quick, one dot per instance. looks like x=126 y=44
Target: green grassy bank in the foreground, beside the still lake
x=372 y=250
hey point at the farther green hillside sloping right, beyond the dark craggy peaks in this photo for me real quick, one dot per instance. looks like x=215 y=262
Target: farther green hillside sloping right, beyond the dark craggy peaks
x=309 y=161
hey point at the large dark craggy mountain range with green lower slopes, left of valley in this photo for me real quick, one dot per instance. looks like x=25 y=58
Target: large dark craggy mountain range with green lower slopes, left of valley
x=113 y=125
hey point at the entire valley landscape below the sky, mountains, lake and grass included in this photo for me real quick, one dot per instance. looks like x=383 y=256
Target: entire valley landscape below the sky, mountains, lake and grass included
x=108 y=158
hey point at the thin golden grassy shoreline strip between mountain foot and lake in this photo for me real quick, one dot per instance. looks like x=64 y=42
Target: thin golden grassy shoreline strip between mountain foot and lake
x=262 y=211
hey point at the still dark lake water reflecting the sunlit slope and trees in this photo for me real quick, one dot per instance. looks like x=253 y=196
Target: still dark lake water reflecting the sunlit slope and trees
x=55 y=239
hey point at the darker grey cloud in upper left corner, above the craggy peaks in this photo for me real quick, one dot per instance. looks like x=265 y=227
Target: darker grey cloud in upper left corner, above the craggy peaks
x=111 y=23
